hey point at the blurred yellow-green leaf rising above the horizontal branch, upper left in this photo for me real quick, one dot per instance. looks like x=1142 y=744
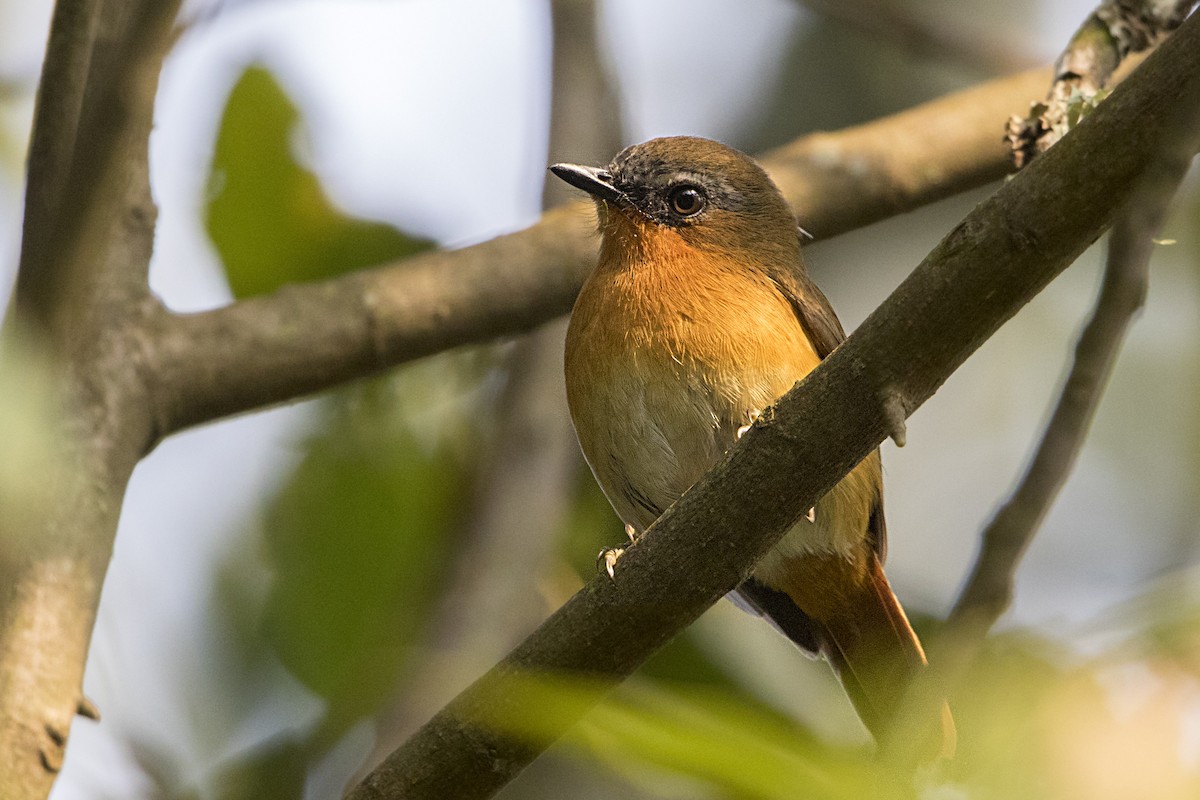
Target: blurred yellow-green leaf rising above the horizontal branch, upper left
x=268 y=216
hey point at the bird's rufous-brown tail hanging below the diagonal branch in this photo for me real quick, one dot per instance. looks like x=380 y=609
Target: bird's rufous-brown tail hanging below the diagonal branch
x=878 y=655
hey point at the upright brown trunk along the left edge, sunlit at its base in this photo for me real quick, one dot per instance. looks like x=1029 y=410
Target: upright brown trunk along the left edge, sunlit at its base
x=82 y=287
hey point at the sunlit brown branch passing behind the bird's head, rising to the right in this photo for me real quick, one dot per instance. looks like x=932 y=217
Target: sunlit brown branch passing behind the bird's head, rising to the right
x=309 y=338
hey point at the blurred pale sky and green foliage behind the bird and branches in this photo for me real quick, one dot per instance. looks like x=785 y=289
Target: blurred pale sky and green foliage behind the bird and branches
x=295 y=592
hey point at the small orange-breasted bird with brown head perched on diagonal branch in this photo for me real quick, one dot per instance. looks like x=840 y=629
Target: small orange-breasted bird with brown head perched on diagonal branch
x=699 y=315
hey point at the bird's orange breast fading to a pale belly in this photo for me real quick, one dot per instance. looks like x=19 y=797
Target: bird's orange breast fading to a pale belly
x=669 y=353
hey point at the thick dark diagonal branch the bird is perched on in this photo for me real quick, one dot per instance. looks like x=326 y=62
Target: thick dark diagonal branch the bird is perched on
x=986 y=270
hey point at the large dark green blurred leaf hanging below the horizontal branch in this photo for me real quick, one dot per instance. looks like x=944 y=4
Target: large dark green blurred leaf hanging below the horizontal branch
x=361 y=539
